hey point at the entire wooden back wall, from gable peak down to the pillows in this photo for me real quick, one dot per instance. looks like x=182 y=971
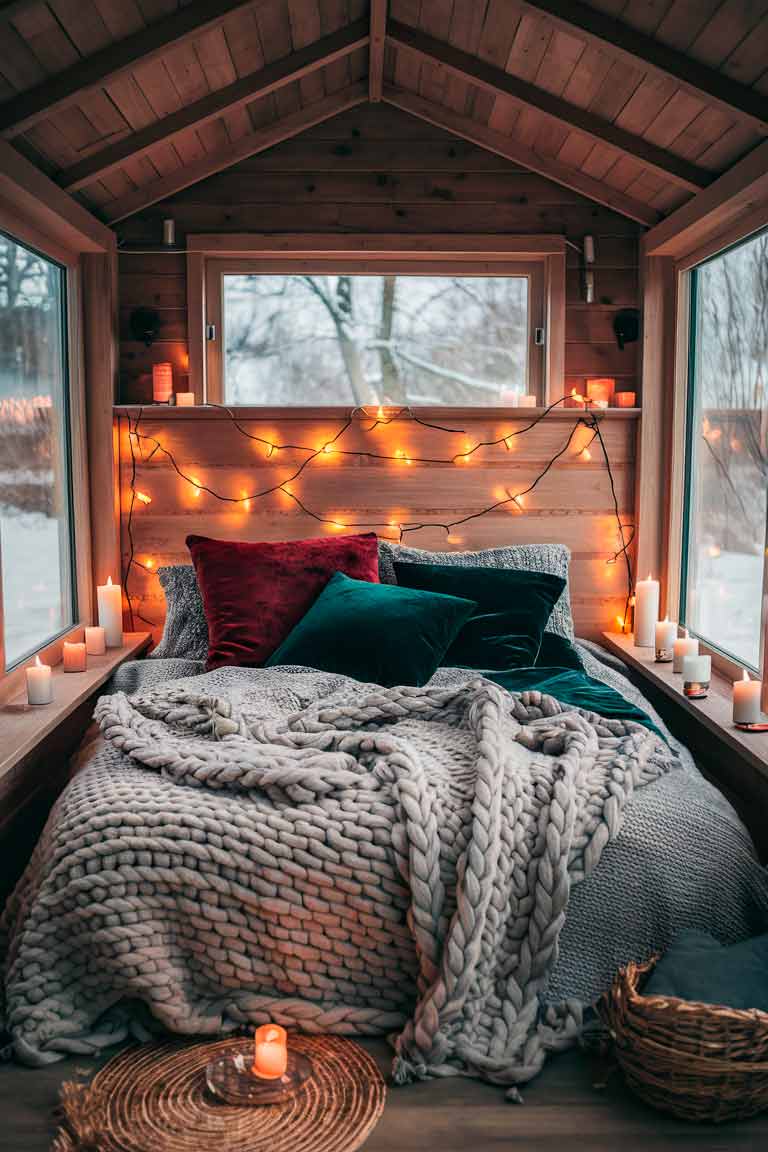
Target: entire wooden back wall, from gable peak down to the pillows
x=377 y=170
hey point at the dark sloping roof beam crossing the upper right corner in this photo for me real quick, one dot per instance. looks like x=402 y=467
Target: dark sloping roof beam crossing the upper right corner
x=636 y=48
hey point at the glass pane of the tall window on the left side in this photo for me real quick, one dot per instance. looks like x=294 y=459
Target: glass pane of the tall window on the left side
x=36 y=551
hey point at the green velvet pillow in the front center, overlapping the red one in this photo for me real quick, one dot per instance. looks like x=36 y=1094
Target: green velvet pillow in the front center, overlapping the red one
x=378 y=633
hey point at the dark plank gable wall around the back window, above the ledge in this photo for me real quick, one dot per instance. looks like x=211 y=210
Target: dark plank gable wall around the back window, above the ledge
x=378 y=170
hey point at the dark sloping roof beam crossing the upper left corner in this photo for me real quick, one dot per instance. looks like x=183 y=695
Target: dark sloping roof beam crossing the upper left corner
x=28 y=109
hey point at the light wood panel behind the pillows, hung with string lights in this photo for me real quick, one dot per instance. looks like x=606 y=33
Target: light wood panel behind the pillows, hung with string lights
x=572 y=505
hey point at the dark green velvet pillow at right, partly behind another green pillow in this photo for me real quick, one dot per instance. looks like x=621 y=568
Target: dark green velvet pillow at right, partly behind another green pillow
x=513 y=610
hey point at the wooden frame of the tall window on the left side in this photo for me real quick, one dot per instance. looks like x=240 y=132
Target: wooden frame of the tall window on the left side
x=12 y=678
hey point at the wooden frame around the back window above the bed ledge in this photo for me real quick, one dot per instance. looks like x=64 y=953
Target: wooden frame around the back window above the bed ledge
x=541 y=259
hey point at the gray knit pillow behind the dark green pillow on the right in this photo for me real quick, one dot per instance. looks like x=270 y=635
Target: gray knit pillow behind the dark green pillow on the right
x=541 y=558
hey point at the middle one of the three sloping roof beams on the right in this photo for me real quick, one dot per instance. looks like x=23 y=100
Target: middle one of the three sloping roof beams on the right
x=500 y=84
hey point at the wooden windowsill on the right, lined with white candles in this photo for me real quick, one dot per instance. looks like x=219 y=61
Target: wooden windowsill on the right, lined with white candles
x=713 y=714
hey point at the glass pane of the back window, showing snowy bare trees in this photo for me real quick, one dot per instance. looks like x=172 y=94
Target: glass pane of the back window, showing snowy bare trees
x=390 y=339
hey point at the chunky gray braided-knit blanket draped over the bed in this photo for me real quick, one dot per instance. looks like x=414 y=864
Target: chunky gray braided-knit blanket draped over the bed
x=371 y=860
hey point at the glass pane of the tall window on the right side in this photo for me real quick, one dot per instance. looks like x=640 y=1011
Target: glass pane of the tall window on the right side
x=729 y=491
